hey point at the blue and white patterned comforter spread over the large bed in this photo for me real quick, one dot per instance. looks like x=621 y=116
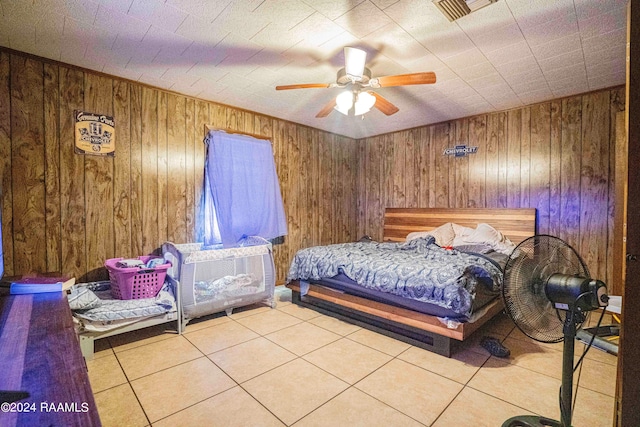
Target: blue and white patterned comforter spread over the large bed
x=418 y=269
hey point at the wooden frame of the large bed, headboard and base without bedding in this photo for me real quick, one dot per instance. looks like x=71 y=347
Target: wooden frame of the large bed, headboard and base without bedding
x=418 y=329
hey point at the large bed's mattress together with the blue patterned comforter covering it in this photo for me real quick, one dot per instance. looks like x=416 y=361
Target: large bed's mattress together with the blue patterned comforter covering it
x=418 y=275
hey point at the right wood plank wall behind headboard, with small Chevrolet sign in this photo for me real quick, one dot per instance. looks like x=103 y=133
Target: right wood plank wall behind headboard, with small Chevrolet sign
x=557 y=157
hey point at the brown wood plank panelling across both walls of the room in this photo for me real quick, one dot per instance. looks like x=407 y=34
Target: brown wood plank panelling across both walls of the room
x=67 y=212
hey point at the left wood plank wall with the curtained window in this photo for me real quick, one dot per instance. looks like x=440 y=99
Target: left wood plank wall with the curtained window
x=68 y=212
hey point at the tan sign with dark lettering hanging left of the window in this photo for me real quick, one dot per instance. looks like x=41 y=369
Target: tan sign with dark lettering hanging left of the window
x=95 y=134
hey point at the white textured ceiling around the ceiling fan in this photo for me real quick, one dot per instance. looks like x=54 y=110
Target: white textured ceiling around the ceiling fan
x=509 y=54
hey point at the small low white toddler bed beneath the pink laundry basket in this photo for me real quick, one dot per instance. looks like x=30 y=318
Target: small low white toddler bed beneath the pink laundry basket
x=96 y=314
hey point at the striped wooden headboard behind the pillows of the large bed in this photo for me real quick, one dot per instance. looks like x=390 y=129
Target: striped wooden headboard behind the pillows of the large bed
x=516 y=224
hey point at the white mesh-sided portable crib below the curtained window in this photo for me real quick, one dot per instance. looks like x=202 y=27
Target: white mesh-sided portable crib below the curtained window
x=213 y=280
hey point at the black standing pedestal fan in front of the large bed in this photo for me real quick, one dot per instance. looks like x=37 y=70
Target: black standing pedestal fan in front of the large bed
x=546 y=291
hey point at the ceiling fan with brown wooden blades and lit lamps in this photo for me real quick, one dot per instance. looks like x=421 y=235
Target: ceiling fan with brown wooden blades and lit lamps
x=356 y=78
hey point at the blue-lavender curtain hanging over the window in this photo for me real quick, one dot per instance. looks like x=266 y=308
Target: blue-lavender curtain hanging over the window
x=242 y=193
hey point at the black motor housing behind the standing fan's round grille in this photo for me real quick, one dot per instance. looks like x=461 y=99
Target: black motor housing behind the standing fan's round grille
x=568 y=291
